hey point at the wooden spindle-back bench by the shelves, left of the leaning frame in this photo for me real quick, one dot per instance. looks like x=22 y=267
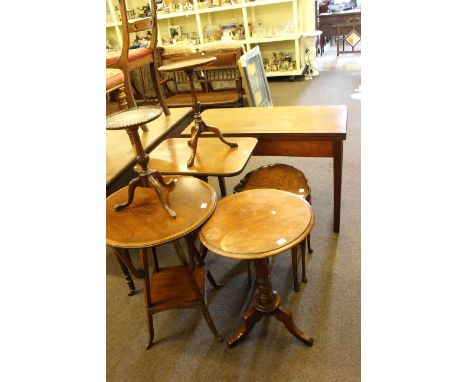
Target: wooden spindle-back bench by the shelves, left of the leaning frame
x=218 y=84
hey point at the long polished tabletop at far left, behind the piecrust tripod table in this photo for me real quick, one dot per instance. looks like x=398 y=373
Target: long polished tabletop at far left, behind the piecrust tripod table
x=120 y=155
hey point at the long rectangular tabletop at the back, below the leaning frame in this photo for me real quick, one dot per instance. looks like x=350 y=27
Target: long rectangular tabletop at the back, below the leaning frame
x=320 y=121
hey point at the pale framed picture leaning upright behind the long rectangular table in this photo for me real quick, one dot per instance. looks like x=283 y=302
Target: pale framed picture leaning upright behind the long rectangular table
x=254 y=79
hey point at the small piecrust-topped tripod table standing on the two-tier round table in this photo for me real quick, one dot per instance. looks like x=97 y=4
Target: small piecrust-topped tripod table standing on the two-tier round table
x=130 y=120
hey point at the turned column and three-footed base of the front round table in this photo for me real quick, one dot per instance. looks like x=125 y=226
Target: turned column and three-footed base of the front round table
x=266 y=302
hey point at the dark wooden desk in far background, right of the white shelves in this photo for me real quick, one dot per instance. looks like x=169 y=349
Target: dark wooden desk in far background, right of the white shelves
x=327 y=22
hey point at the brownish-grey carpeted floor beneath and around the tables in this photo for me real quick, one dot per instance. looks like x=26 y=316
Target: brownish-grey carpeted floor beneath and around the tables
x=327 y=308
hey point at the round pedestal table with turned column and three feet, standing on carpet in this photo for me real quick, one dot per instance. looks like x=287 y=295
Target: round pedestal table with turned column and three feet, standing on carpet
x=254 y=225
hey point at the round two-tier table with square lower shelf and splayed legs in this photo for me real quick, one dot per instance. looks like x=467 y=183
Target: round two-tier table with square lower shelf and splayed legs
x=146 y=224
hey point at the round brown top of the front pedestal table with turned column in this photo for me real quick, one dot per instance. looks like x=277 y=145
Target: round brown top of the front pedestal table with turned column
x=257 y=223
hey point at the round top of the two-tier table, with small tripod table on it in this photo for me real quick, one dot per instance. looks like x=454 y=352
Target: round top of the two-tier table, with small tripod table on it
x=145 y=223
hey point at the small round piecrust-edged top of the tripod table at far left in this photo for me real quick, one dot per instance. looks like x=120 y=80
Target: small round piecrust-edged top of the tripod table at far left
x=134 y=116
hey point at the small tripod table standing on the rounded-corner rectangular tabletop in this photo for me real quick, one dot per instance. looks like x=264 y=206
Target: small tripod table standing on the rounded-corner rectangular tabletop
x=199 y=126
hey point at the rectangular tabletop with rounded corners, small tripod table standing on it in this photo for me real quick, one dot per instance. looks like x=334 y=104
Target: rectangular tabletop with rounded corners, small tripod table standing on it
x=213 y=157
